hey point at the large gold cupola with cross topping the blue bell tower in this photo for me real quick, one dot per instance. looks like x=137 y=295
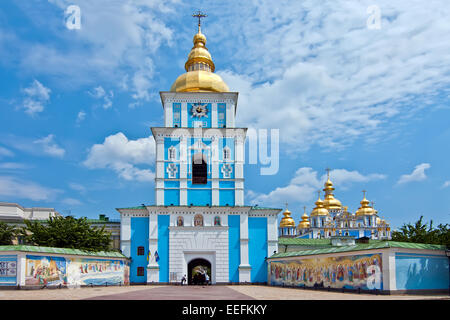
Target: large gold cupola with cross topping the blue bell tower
x=199 y=76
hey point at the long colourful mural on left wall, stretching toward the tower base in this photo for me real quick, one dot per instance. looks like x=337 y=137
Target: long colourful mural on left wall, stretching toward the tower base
x=53 y=271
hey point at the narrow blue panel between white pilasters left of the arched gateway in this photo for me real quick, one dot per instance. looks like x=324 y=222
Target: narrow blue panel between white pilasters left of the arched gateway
x=163 y=247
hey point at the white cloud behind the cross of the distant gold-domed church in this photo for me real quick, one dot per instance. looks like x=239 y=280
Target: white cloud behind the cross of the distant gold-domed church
x=305 y=183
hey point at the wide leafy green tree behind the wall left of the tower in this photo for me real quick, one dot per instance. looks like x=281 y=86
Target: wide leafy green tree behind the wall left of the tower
x=67 y=232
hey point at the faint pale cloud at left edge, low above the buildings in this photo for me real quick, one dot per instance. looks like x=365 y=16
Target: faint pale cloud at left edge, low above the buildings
x=11 y=187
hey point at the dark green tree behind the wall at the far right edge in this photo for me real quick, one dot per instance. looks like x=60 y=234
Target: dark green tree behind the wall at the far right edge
x=423 y=233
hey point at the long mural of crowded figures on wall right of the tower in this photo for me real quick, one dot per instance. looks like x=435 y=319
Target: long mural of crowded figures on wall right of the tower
x=352 y=272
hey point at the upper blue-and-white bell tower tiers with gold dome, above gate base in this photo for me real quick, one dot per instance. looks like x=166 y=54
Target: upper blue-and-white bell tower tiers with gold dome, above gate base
x=199 y=151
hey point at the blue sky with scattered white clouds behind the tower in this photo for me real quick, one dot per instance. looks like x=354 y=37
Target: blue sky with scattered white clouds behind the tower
x=371 y=104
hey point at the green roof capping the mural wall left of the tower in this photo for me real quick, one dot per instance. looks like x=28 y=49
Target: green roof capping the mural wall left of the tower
x=109 y=254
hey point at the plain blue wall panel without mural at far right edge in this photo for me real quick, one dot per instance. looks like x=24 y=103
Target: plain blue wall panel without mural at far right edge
x=416 y=271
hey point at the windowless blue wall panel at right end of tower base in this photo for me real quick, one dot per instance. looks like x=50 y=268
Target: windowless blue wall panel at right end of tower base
x=257 y=247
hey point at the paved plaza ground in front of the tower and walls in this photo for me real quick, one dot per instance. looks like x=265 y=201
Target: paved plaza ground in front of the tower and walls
x=244 y=292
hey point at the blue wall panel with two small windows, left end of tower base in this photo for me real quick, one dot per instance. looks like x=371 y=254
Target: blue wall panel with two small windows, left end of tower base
x=139 y=238
